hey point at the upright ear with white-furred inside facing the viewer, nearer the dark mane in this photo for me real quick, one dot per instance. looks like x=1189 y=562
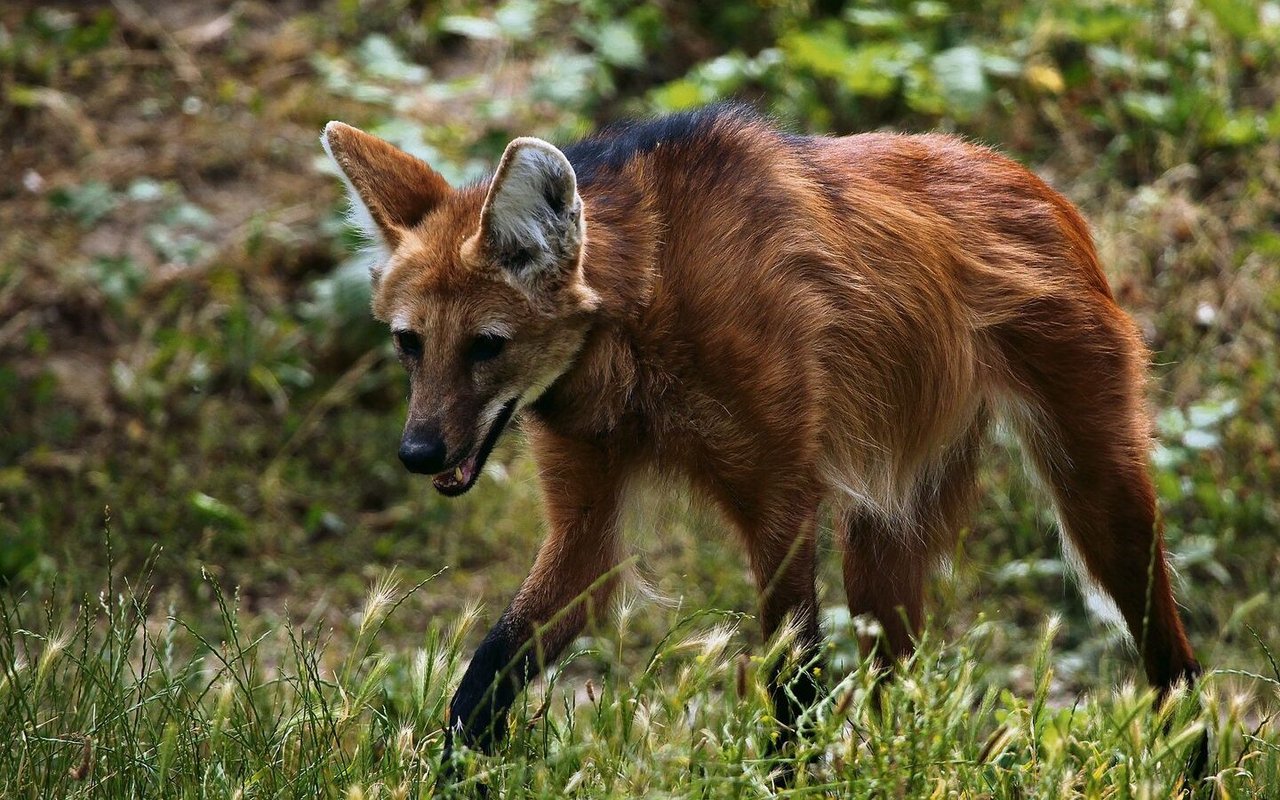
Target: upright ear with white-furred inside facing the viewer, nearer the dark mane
x=532 y=223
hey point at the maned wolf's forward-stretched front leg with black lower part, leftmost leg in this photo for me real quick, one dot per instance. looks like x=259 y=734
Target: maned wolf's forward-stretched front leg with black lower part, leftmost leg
x=572 y=580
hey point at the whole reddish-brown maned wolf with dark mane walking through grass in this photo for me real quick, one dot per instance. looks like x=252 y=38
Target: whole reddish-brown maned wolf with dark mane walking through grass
x=783 y=321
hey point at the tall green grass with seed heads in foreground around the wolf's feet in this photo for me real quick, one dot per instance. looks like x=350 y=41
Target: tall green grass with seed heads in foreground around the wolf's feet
x=113 y=696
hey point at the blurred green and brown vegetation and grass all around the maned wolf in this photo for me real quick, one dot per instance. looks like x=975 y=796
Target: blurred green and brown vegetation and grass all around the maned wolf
x=199 y=419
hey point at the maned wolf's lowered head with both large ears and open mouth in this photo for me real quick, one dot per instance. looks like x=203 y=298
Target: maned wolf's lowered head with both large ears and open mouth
x=483 y=290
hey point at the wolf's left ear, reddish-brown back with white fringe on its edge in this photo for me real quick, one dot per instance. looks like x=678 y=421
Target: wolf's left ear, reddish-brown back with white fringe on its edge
x=390 y=190
